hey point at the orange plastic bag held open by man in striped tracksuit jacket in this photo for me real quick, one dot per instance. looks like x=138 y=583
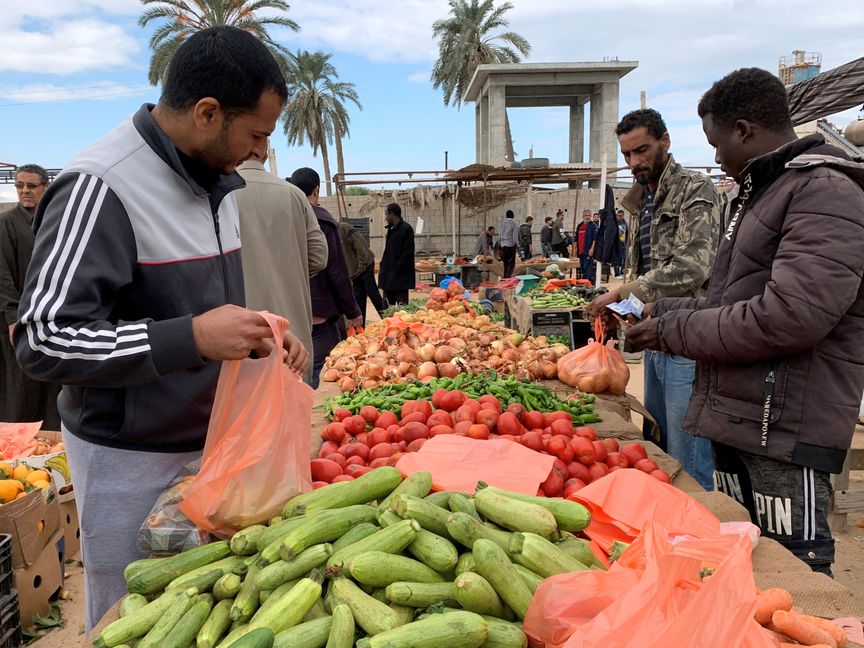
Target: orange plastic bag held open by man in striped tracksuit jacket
x=256 y=456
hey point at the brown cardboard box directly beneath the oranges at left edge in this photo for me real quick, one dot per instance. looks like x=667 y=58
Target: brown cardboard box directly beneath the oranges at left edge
x=32 y=521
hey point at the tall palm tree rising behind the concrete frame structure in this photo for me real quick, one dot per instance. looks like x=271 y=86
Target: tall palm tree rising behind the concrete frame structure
x=466 y=41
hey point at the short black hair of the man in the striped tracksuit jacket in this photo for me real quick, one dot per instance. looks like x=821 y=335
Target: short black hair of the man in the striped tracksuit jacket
x=226 y=63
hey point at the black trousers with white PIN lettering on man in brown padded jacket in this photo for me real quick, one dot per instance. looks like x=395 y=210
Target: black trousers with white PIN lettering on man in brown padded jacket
x=788 y=503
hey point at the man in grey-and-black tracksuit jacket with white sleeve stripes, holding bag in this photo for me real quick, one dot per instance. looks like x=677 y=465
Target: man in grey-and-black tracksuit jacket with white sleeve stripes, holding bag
x=135 y=291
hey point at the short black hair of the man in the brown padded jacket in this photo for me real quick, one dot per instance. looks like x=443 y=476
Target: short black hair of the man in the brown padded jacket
x=752 y=94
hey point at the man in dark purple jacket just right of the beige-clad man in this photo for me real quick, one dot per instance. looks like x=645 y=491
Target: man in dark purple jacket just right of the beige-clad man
x=331 y=290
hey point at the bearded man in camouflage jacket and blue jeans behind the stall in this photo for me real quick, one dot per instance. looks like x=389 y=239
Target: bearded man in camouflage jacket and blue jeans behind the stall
x=677 y=218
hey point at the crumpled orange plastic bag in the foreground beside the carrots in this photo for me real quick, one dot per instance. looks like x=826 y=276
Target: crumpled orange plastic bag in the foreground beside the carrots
x=653 y=597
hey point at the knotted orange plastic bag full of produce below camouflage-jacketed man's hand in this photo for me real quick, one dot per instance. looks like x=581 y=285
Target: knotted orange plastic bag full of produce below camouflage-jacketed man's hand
x=596 y=367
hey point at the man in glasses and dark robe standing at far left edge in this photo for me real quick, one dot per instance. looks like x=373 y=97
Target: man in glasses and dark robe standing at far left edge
x=22 y=399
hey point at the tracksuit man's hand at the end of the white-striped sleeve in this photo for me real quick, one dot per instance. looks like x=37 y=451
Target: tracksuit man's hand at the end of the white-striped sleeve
x=231 y=333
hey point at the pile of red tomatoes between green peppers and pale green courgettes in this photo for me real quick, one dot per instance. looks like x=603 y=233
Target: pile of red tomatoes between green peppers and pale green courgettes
x=354 y=444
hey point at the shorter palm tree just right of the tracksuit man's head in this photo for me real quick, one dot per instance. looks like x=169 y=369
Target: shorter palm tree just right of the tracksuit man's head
x=316 y=108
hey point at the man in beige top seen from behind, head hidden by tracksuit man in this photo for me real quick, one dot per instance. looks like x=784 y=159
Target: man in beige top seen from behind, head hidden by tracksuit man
x=281 y=238
